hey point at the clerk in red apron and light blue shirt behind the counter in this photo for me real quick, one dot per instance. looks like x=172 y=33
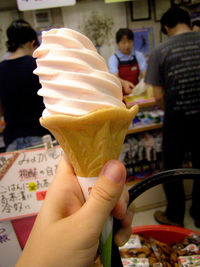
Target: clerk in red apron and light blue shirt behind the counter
x=126 y=63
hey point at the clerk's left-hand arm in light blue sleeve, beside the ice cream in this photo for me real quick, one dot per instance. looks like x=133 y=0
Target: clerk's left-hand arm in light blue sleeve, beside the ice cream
x=113 y=68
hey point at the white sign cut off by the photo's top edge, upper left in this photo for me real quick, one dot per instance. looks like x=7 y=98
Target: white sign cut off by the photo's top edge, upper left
x=40 y=4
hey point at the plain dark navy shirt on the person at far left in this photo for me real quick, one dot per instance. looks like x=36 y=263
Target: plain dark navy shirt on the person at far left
x=20 y=102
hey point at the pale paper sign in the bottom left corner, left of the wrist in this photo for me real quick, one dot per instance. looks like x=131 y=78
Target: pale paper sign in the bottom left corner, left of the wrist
x=9 y=246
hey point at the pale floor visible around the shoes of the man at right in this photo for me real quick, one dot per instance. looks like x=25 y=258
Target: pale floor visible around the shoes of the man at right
x=142 y=217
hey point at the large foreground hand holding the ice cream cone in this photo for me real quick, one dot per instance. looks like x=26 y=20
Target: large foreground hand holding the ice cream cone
x=67 y=230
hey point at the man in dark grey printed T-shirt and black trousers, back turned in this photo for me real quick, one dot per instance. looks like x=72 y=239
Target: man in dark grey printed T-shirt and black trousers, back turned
x=173 y=71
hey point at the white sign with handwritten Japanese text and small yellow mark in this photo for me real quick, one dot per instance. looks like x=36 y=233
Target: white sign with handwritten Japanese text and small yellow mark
x=24 y=180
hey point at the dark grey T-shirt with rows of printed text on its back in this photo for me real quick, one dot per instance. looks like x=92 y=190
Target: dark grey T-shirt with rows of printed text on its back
x=175 y=65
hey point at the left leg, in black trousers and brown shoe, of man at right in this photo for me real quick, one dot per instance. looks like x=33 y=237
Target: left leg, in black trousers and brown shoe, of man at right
x=174 y=191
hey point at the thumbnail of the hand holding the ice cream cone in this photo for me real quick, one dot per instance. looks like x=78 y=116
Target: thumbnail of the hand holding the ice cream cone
x=113 y=171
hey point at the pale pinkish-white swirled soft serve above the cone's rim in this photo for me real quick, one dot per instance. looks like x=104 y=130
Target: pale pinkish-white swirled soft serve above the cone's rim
x=74 y=77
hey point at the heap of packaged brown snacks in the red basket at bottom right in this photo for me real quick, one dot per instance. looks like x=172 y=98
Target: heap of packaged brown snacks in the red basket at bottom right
x=185 y=253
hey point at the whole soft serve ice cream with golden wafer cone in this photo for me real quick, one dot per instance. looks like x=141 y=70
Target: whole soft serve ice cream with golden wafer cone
x=84 y=108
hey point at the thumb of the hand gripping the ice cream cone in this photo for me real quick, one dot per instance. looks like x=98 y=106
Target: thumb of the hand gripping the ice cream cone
x=105 y=193
